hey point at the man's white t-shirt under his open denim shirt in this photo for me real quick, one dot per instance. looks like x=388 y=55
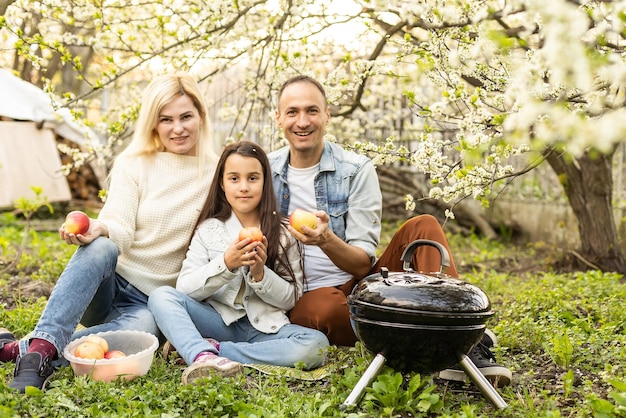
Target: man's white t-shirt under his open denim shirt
x=319 y=270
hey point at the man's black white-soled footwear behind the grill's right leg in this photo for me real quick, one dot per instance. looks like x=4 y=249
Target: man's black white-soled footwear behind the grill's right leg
x=485 y=361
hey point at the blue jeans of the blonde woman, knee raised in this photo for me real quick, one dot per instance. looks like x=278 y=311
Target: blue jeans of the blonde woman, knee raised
x=90 y=292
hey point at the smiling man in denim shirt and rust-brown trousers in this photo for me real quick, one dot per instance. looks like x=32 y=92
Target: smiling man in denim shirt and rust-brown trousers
x=341 y=188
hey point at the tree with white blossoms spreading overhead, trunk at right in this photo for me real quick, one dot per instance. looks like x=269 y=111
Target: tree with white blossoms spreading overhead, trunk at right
x=473 y=83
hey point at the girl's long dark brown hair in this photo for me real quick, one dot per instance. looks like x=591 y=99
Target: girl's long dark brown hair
x=272 y=221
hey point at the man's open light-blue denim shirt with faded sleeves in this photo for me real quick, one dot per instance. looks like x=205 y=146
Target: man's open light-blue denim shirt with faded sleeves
x=346 y=188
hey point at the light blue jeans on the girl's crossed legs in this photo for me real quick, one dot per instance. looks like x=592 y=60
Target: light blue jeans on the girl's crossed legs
x=185 y=322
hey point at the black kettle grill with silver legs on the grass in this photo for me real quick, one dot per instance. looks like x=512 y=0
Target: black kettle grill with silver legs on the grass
x=419 y=322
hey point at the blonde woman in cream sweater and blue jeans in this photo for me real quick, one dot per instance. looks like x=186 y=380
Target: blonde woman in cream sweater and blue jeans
x=138 y=242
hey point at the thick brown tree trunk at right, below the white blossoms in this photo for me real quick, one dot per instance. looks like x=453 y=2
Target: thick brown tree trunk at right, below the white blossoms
x=588 y=184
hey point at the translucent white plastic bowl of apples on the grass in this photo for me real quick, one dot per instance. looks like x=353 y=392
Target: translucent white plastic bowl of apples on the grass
x=112 y=355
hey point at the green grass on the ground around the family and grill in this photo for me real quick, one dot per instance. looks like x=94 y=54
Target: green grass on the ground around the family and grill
x=562 y=335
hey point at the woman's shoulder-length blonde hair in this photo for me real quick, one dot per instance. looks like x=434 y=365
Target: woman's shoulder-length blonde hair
x=162 y=90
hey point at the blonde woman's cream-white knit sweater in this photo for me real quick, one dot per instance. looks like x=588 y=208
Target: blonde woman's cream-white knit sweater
x=150 y=211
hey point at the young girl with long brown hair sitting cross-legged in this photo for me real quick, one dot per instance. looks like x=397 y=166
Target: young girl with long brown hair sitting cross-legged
x=231 y=298
